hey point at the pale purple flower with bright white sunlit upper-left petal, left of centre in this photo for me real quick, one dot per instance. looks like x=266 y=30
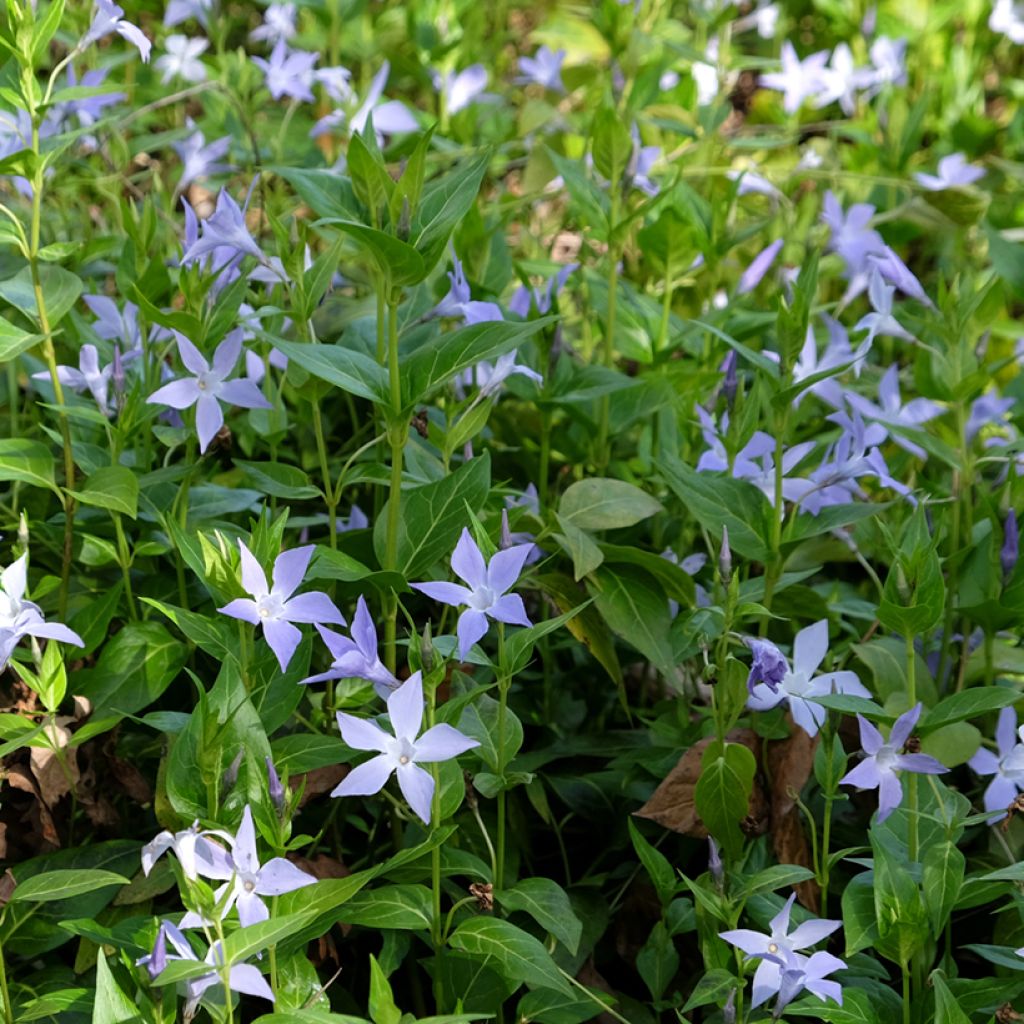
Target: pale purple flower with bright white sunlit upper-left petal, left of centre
x=274 y=608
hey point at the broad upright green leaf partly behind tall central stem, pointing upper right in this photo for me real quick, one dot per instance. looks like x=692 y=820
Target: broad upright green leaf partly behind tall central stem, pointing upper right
x=433 y=518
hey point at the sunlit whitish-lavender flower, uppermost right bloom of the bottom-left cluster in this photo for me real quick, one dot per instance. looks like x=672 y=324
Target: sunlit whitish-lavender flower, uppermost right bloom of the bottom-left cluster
x=246 y=881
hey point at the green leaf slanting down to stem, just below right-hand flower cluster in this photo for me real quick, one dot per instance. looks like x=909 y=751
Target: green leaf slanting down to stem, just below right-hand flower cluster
x=718 y=501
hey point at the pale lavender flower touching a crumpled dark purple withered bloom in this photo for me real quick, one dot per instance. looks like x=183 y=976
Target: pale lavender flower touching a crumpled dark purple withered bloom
x=800 y=686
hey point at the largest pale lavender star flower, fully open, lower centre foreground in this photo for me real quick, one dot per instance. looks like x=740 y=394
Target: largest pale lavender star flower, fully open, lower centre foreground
x=402 y=753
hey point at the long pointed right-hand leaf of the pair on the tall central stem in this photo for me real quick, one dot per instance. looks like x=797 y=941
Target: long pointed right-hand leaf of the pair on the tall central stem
x=446 y=356
